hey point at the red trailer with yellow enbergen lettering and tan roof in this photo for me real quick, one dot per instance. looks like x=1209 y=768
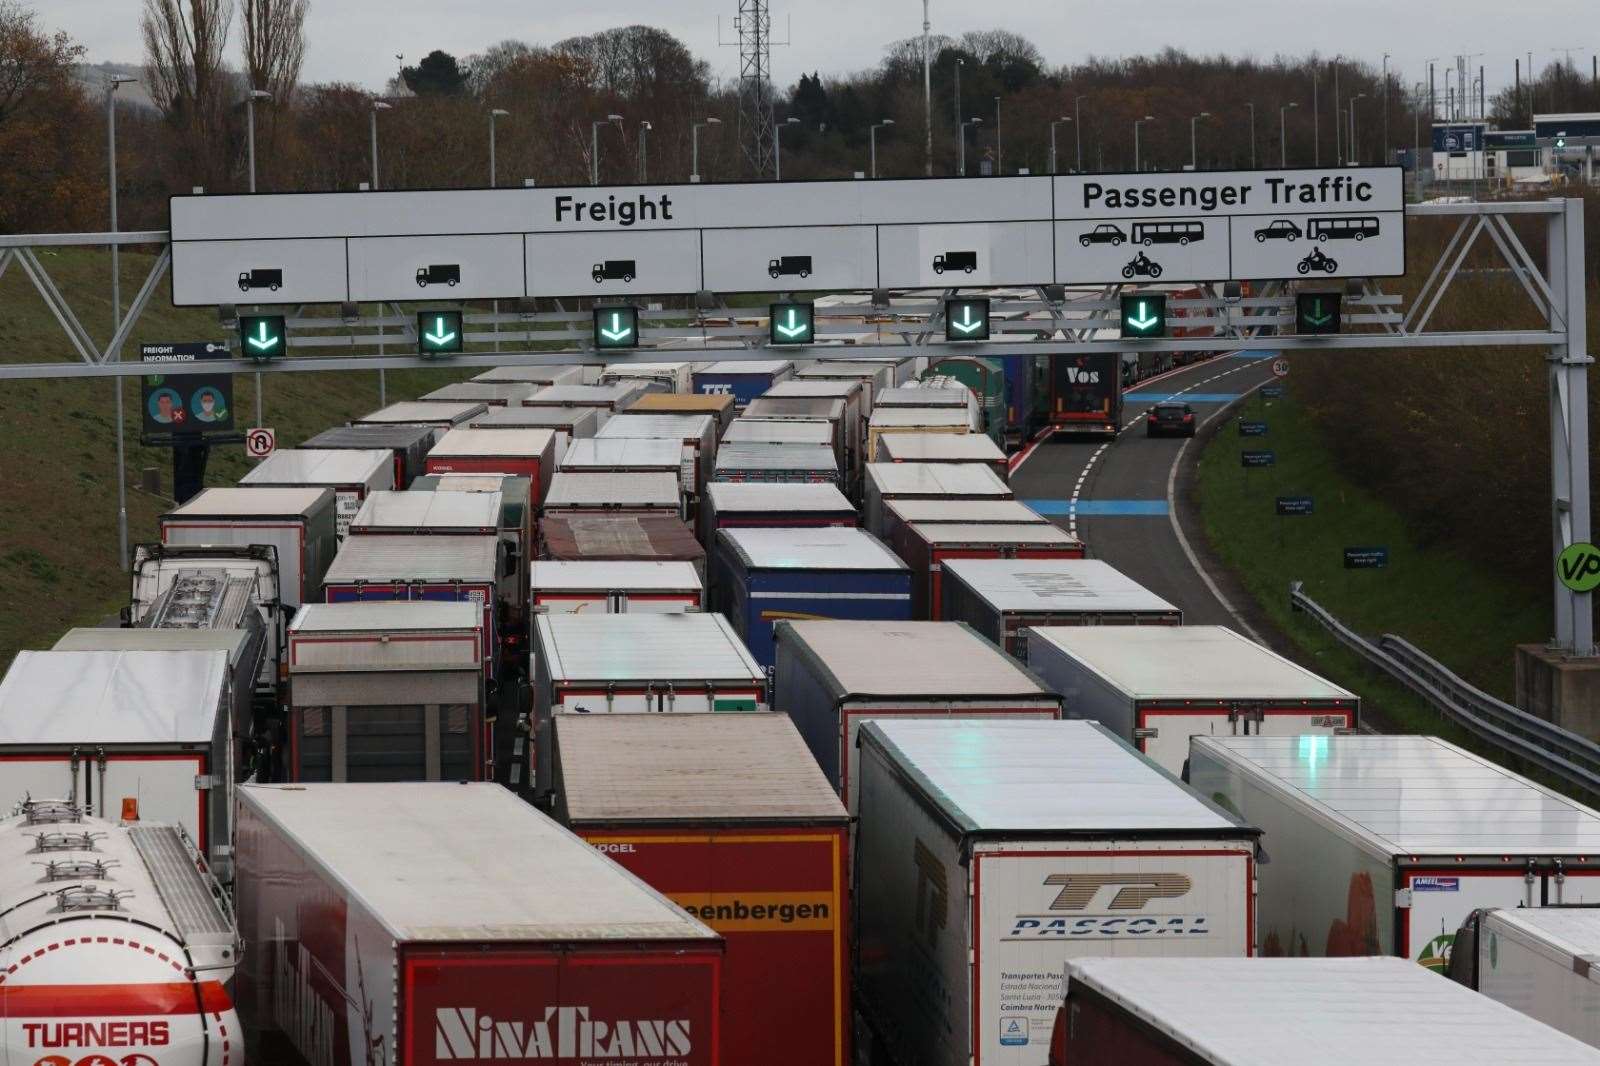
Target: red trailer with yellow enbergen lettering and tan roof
x=732 y=819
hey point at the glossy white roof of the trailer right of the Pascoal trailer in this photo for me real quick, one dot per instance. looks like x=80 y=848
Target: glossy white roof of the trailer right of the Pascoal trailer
x=1414 y=795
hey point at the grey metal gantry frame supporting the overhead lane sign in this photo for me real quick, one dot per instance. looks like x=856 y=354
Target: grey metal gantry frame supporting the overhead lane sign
x=1049 y=321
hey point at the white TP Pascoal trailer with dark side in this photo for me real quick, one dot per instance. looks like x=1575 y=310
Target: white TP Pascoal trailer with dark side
x=990 y=854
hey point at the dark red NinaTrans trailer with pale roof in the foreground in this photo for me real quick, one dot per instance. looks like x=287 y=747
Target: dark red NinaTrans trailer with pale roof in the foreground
x=412 y=924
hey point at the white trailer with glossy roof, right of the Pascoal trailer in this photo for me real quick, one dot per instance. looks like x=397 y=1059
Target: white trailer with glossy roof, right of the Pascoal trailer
x=1385 y=844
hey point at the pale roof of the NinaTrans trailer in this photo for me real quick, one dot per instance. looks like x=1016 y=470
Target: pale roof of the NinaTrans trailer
x=446 y=862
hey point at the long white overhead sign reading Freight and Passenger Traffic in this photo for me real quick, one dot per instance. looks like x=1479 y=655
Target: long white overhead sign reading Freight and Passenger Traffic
x=804 y=236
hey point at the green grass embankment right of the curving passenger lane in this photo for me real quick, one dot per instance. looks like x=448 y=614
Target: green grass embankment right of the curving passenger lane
x=1468 y=617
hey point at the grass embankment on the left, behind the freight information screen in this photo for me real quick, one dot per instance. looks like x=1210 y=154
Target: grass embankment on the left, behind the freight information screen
x=58 y=443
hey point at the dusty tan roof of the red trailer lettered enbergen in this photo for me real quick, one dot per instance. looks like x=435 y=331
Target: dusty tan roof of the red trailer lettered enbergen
x=690 y=769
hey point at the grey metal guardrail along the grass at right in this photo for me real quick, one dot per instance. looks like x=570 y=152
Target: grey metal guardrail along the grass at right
x=1559 y=753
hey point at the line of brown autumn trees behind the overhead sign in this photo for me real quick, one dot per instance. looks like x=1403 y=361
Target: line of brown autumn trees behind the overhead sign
x=434 y=119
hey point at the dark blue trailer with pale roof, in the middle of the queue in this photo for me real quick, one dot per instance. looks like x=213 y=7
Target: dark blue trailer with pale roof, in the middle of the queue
x=764 y=575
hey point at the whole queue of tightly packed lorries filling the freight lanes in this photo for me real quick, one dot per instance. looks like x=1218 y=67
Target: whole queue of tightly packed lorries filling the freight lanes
x=734 y=713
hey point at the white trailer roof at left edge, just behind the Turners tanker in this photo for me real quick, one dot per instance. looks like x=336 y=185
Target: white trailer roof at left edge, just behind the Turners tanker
x=113 y=697
